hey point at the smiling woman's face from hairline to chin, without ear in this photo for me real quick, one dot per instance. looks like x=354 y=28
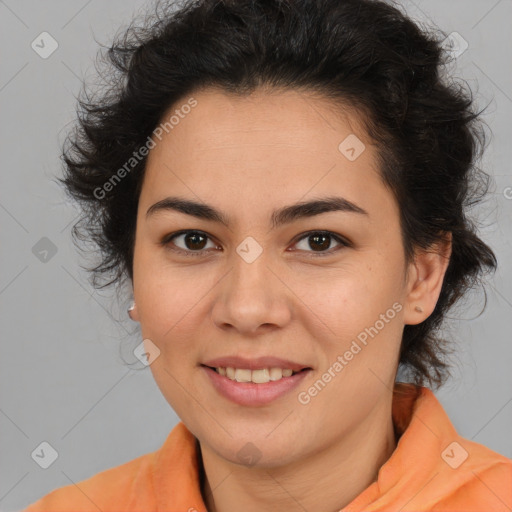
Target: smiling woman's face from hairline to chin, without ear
x=267 y=290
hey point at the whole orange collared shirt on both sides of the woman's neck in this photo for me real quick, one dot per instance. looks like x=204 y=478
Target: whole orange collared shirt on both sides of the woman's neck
x=432 y=468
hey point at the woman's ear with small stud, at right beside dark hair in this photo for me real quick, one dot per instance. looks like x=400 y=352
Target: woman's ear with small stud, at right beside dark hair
x=425 y=277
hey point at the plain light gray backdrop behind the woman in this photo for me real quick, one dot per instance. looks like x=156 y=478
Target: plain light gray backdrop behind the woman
x=63 y=379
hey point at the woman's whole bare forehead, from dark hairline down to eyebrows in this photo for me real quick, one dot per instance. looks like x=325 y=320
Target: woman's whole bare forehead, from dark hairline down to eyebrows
x=269 y=147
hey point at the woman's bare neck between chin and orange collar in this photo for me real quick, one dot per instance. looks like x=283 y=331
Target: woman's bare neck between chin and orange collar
x=325 y=481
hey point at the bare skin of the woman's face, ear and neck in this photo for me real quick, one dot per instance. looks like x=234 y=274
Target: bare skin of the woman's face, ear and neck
x=248 y=156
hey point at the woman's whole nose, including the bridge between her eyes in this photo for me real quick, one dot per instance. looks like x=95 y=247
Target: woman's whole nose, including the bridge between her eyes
x=251 y=295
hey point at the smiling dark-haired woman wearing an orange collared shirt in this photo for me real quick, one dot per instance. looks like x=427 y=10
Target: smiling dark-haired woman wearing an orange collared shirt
x=284 y=184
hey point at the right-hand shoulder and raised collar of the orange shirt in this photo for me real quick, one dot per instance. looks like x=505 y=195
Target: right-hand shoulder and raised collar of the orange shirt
x=435 y=468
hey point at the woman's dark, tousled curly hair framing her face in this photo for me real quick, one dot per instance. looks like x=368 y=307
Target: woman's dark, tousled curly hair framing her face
x=363 y=53
